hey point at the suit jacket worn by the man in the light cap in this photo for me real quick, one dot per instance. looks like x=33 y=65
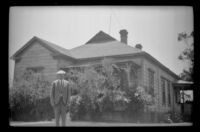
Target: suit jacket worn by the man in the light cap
x=60 y=88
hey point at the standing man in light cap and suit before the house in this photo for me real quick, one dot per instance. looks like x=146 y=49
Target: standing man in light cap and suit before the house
x=60 y=95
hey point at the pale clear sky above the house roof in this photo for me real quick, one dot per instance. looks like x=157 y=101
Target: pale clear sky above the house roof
x=156 y=28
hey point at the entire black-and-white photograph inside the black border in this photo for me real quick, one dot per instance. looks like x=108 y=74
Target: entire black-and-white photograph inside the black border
x=101 y=66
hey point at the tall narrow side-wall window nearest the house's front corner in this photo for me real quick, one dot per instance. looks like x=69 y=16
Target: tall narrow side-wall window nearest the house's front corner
x=151 y=81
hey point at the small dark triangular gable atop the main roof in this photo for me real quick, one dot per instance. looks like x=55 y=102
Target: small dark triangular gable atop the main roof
x=100 y=37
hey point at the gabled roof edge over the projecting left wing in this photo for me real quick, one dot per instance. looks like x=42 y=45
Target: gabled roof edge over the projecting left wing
x=52 y=47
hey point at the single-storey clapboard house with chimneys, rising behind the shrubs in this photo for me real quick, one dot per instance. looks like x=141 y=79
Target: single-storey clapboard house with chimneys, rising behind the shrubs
x=143 y=69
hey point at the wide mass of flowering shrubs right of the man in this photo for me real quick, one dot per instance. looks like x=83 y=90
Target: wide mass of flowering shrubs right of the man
x=100 y=91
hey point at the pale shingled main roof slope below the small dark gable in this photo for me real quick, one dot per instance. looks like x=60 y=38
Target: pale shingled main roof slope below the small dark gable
x=104 y=49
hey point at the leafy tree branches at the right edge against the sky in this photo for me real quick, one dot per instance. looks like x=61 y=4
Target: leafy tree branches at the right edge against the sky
x=187 y=55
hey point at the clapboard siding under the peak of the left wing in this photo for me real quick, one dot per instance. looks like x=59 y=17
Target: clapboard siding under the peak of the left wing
x=37 y=55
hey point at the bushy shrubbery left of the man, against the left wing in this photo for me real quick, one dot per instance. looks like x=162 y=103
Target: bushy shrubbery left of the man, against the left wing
x=29 y=97
